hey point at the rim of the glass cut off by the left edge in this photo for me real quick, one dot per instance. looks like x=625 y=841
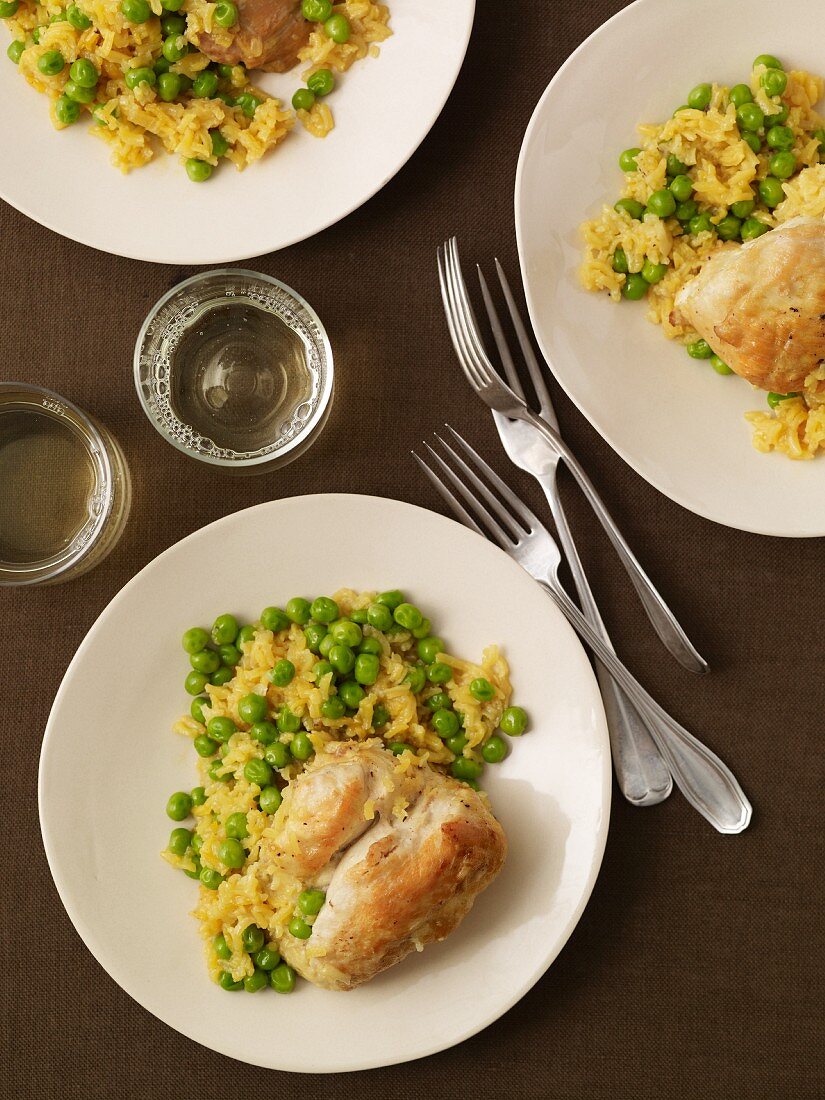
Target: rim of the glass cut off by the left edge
x=50 y=569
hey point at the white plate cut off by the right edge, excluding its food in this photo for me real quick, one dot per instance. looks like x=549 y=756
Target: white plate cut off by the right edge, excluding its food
x=675 y=421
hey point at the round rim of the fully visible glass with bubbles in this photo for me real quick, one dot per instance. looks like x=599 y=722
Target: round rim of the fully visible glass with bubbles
x=318 y=420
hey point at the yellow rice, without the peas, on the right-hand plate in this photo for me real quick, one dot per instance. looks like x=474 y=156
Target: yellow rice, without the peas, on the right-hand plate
x=724 y=170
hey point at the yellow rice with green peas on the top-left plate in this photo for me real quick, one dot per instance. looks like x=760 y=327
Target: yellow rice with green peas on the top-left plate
x=131 y=67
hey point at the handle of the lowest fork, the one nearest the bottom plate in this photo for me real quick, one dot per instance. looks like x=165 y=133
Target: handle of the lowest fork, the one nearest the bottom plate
x=703 y=779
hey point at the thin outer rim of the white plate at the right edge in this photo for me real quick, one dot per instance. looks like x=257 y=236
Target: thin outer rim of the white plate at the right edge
x=593 y=415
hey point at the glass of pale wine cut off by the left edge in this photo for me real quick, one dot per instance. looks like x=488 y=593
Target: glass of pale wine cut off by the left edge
x=65 y=490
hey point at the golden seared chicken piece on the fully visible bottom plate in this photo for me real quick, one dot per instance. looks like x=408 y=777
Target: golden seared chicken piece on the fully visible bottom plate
x=401 y=857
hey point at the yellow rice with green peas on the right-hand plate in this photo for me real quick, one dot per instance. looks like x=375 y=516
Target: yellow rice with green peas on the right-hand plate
x=730 y=166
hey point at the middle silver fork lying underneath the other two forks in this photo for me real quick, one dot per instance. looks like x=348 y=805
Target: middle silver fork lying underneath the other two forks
x=642 y=774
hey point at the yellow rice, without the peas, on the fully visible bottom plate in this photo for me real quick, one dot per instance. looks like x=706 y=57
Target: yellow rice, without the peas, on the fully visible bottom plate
x=254 y=897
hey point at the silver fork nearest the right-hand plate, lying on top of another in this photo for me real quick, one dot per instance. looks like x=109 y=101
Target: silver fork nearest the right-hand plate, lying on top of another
x=493 y=391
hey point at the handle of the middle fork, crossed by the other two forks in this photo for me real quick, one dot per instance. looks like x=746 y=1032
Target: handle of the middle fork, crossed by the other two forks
x=641 y=773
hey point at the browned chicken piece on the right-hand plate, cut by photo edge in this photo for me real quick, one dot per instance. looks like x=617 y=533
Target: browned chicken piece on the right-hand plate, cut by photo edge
x=762 y=307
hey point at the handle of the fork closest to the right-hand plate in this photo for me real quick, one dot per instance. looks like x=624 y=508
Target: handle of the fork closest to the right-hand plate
x=664 y=621
